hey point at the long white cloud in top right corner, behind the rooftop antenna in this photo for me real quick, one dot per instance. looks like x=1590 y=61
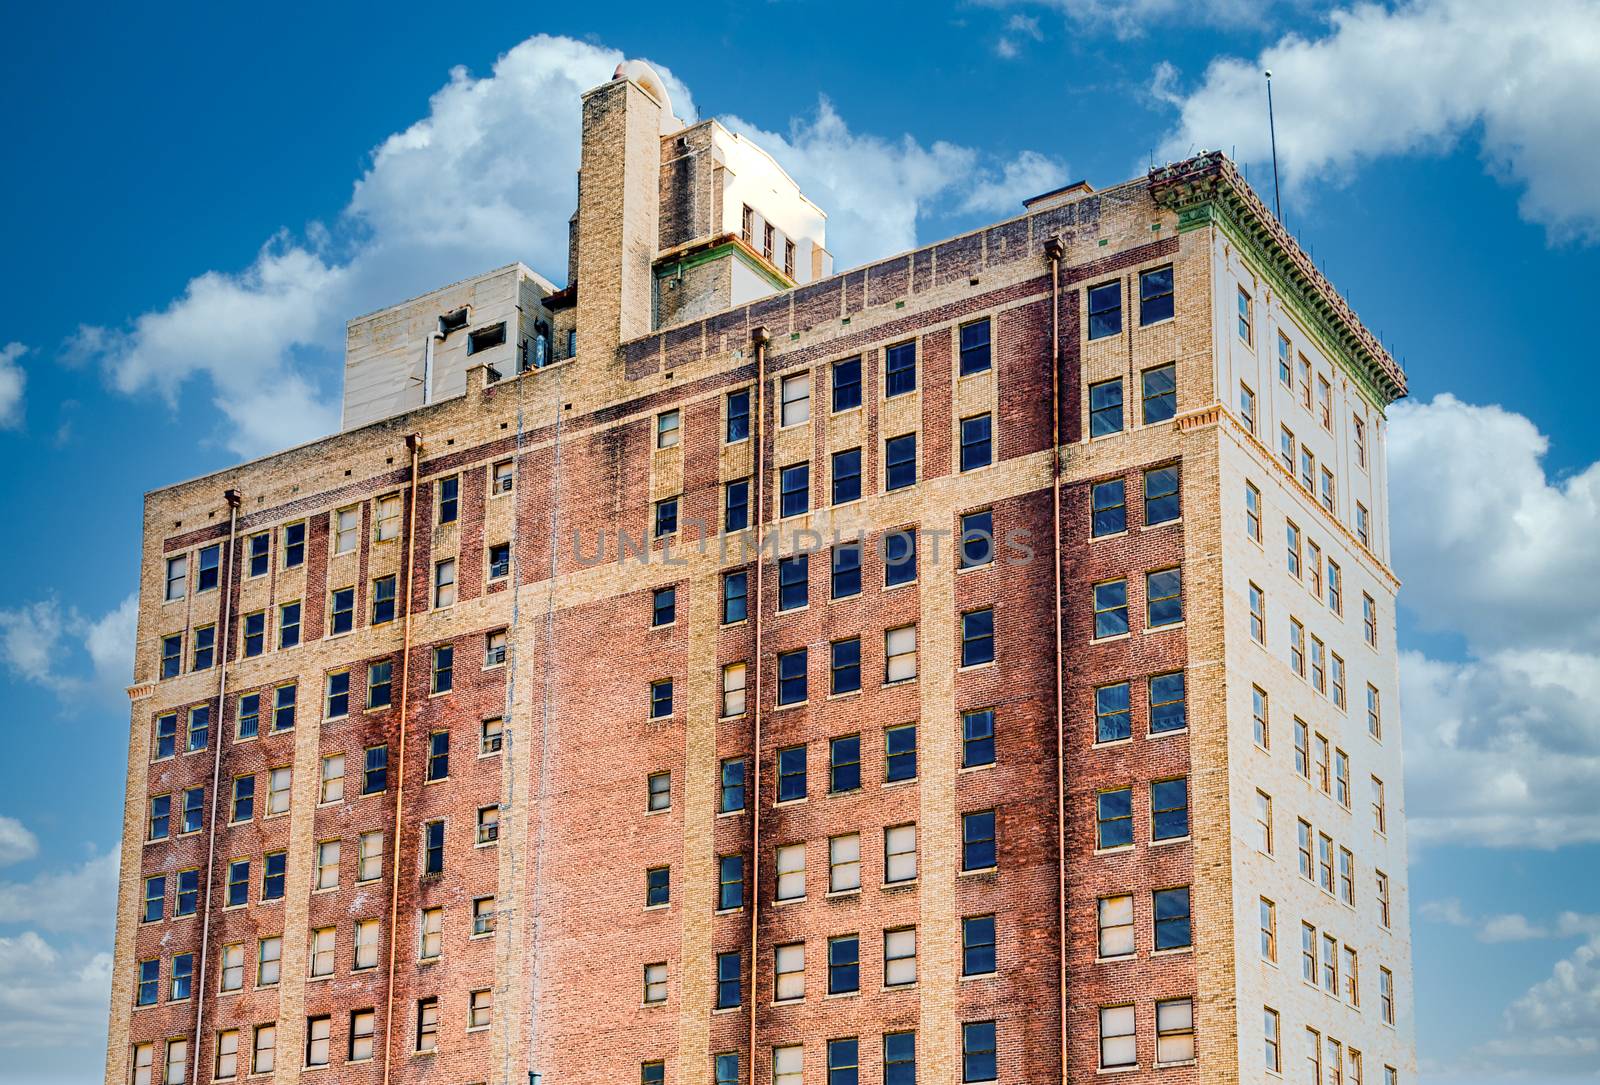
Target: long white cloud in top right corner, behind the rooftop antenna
x=1418 y=79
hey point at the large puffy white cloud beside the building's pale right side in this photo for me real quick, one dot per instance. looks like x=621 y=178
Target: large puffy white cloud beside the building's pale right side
x=1502 y=747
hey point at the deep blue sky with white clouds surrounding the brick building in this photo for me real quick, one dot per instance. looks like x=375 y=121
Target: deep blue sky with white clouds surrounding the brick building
x=196 y=198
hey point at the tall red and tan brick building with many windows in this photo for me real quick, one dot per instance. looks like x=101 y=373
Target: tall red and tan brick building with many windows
x=711 y=671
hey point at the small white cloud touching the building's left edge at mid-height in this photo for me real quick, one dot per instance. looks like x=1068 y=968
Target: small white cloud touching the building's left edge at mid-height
x=57 y=647
